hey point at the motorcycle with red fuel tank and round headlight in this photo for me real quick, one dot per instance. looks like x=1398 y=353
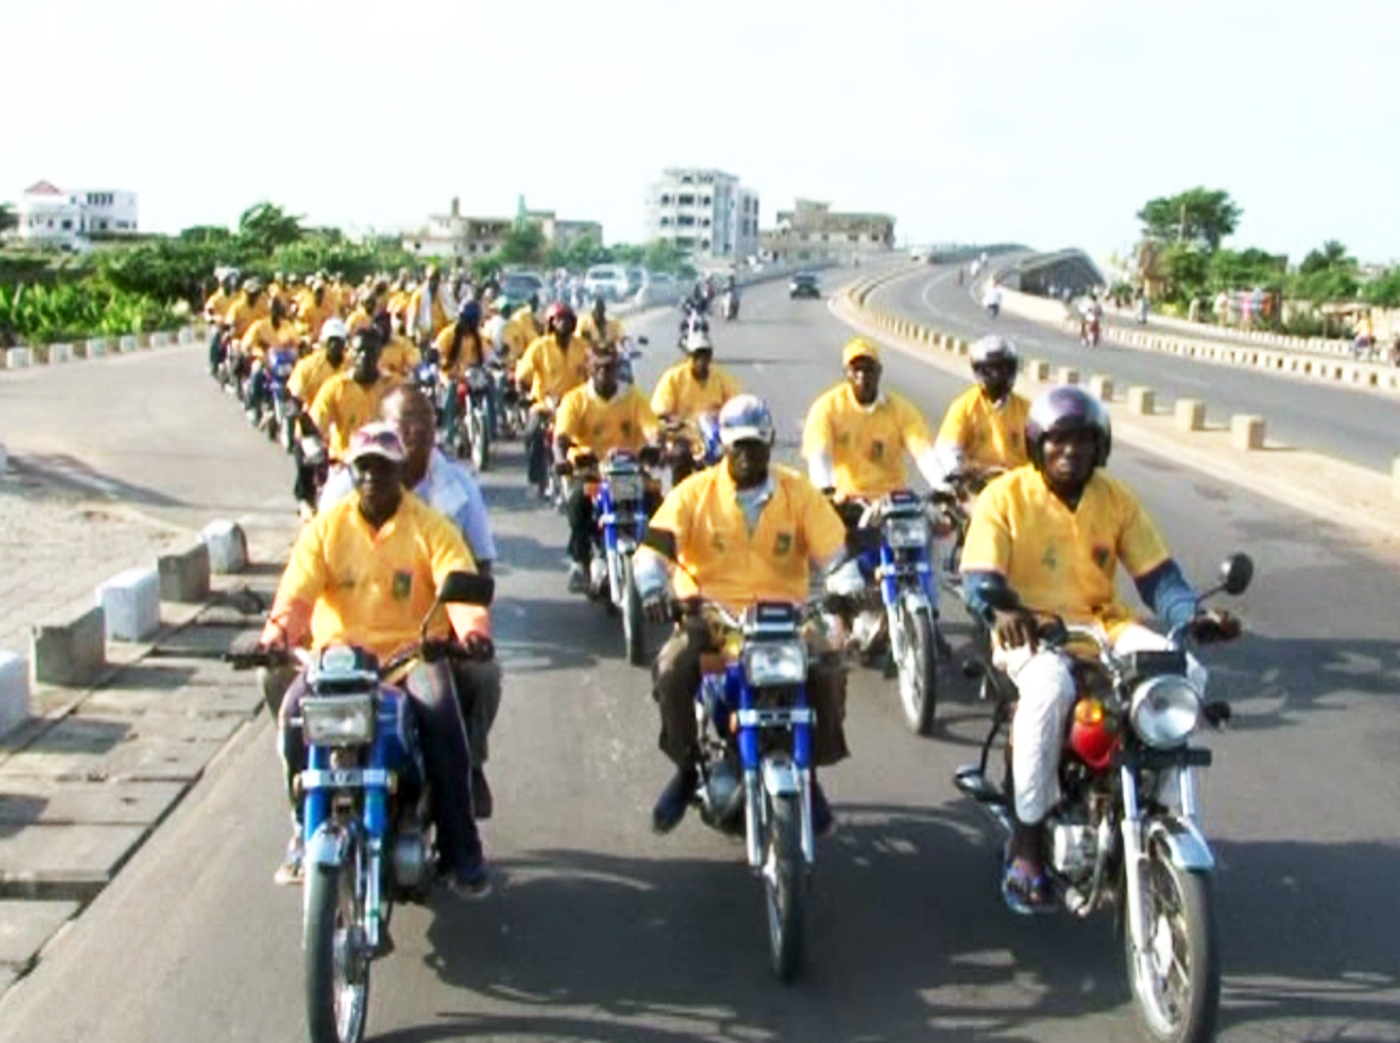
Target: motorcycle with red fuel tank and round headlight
x=1112 y=843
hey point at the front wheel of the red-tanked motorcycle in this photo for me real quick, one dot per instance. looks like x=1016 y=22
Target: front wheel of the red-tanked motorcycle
x=1178 y=985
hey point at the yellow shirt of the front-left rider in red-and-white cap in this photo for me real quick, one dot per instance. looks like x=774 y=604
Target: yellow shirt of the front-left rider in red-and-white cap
x=372 y=589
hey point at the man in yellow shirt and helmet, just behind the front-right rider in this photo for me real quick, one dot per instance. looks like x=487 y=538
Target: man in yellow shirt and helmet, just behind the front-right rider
x=985 y=428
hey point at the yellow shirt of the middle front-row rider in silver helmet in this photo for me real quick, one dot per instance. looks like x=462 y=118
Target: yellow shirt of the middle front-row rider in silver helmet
x=722 y=561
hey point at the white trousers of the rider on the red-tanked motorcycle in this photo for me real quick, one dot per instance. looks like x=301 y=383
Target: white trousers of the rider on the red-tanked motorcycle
x=1045 y=687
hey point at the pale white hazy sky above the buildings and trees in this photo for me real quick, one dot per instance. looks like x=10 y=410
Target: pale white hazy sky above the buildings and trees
x=1046 y=122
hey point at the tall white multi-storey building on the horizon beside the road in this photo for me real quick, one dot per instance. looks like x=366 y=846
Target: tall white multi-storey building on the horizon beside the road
x=703 y=212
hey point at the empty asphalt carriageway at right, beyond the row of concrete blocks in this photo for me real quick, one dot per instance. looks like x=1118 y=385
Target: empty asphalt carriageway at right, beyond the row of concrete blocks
x=1357 y=426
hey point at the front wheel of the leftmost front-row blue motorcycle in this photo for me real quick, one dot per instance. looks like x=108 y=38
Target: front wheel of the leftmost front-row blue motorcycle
x=337 y=967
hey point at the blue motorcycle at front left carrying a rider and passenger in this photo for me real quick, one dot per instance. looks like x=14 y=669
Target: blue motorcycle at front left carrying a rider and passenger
x=366 y=814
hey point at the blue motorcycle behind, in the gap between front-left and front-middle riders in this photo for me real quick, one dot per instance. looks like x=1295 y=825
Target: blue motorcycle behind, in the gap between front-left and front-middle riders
x=622 y=520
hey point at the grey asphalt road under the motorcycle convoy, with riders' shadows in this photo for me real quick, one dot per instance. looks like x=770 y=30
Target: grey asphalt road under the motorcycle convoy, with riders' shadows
x=601 y=932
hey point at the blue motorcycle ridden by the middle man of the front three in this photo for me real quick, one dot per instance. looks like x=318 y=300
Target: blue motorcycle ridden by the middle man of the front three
x=757 y=755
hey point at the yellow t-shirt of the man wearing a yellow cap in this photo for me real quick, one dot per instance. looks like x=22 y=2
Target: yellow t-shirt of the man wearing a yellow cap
x=867 y=446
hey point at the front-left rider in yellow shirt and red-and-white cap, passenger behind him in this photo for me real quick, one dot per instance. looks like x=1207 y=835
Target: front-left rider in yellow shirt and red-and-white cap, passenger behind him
x=367 y=572
